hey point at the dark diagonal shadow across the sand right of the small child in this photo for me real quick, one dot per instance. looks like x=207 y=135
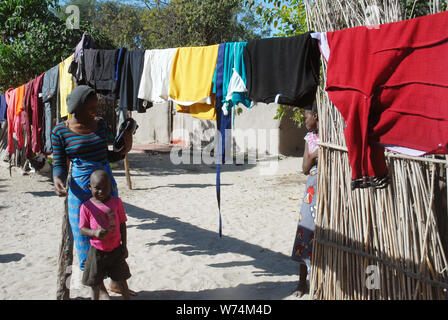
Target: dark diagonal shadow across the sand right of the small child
x=191 y=240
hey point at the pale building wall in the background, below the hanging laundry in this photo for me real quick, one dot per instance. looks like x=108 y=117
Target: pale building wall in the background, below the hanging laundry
x=267 y=135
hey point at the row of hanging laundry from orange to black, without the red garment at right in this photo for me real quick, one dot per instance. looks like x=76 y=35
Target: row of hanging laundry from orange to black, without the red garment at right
x=186 y=76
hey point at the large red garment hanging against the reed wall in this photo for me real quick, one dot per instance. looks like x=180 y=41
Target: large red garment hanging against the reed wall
x=391 y=86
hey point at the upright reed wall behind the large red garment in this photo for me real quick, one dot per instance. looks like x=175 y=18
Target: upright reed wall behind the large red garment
x=400 y=231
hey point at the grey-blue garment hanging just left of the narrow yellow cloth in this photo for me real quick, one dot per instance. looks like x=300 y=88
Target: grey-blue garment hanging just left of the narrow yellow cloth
x=49 y=98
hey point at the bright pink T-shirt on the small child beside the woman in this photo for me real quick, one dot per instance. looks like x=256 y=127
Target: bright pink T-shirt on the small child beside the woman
x=93 y=216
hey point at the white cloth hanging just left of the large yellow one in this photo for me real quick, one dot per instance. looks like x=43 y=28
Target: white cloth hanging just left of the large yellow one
x=155 y=82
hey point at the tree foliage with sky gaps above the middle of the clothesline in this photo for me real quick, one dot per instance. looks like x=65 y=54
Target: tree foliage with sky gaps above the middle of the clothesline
x=148 y=24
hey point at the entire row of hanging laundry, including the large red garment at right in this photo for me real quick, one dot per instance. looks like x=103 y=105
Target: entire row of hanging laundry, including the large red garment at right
x=384 y=98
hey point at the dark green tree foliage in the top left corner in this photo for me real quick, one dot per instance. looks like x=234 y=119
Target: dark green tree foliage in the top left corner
x=33 y=38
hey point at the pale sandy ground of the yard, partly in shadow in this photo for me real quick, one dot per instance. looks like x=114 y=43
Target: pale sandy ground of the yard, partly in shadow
x=174 y=247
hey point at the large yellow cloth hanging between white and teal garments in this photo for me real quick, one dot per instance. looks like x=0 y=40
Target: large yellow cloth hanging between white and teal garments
x=191 y=81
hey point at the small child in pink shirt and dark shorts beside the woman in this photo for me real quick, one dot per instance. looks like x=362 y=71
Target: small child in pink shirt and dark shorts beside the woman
x=103 y=219
